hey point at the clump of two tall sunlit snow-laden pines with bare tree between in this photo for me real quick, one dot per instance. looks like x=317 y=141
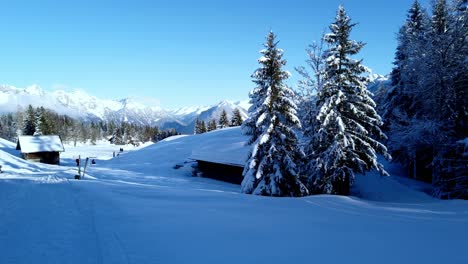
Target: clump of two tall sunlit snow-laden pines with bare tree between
x=335 y=114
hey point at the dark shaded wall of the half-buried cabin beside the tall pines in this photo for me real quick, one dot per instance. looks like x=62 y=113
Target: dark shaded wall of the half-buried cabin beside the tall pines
x=227 y=173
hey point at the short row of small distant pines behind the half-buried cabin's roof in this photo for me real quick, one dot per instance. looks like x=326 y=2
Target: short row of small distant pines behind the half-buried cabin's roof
x=202 y=127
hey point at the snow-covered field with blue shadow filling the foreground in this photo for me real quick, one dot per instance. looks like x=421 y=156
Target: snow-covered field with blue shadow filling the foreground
x=138 y=208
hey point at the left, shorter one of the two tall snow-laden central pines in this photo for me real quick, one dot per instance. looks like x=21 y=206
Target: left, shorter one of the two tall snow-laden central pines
x=271 y=169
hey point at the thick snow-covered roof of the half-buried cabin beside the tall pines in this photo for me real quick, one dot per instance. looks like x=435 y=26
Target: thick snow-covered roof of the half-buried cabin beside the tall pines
x=225 y=146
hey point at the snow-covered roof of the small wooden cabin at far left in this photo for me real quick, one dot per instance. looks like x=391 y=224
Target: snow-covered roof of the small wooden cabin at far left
x=33 y=144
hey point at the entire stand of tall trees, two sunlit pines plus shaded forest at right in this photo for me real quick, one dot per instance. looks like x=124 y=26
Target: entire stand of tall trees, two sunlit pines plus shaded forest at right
x=335 y=128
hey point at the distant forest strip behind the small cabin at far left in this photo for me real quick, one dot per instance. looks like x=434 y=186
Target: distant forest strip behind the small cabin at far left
x=41 y=121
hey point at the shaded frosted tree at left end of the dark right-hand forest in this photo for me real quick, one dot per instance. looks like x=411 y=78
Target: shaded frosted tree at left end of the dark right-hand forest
x=403 y=106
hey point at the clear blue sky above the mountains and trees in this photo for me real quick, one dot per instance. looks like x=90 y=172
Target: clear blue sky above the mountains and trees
x=181 y=53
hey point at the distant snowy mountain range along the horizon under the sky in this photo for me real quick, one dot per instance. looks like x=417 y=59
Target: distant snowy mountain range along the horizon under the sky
x=79 y=104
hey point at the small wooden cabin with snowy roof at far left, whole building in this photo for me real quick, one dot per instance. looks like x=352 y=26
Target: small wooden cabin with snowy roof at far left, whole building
x=44 y=149
